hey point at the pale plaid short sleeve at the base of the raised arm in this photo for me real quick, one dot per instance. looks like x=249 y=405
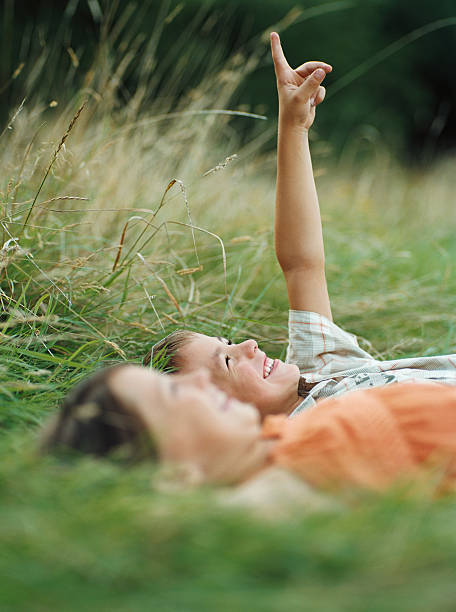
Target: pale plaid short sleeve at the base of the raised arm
x=320 y=348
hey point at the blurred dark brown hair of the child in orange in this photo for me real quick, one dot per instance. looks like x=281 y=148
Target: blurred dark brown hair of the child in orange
x=94 y=421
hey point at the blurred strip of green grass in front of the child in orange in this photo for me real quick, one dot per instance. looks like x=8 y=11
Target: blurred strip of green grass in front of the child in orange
x=95 y=537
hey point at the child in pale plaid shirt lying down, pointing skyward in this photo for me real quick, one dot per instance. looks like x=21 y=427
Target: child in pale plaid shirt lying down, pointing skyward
x=322 y=359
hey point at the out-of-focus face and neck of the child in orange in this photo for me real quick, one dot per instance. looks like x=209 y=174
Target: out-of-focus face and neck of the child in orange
x=194 y=423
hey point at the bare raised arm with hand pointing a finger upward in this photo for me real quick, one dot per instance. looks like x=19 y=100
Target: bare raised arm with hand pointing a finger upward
x=297 y=227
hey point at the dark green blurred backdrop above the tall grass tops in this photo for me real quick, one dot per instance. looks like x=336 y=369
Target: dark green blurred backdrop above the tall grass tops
x=393 y=80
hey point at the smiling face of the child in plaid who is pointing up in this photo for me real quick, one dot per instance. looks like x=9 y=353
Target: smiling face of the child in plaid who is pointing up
x=244 y=372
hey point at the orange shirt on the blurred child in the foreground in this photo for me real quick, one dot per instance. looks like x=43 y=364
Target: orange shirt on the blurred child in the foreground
x=370 y=438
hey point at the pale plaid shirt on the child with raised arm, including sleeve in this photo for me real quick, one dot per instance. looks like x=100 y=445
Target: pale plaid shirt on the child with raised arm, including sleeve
x=331 y=357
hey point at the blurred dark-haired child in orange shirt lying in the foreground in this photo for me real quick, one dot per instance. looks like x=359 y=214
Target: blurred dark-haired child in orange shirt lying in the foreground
x=366 y=439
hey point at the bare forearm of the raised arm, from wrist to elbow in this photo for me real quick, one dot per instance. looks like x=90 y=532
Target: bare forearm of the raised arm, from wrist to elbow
x=298 y=233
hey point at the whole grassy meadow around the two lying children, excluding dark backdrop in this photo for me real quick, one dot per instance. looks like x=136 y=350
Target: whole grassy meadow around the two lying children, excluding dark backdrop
x=120 y=224
